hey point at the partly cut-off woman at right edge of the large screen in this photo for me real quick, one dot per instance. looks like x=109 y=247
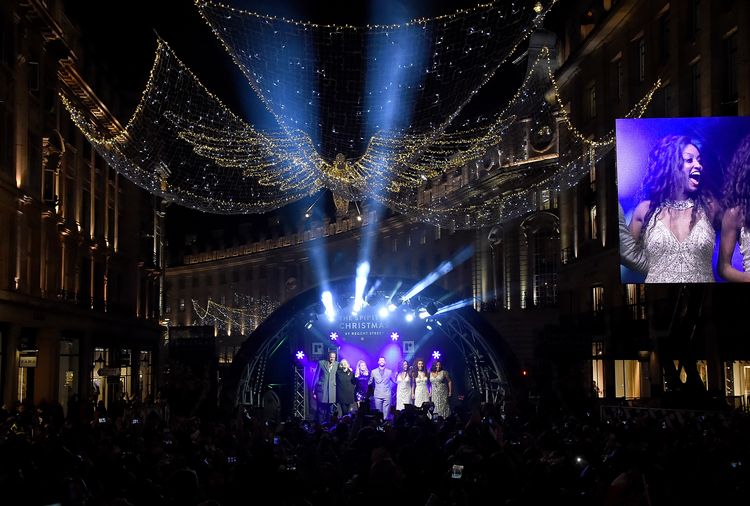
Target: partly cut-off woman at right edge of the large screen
x=735 y=224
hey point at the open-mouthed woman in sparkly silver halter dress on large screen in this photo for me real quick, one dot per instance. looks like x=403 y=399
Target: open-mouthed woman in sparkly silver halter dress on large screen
x=673 y=221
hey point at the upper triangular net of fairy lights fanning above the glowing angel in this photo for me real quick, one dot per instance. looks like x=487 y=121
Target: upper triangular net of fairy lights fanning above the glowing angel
x=427 y=68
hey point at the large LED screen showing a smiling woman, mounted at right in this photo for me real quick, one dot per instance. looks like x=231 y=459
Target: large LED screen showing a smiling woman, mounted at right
x=684 y=194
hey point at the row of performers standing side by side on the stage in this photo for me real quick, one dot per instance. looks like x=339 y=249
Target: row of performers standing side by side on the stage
x=339 y=388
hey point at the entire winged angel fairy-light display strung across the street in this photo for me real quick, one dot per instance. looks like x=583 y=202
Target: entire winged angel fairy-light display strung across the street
x=184 y=144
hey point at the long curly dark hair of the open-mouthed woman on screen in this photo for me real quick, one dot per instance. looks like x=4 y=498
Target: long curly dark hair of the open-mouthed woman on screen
x=664 y=177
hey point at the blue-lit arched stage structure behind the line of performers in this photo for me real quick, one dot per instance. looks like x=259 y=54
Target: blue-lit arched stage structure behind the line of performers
x=480 y=361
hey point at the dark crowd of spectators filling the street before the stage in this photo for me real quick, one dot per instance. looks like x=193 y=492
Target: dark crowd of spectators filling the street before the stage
x=132 y=455
